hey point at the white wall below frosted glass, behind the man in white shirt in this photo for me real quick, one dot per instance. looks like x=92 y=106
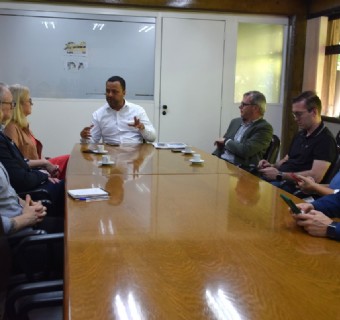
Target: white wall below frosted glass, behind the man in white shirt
x=58 y=122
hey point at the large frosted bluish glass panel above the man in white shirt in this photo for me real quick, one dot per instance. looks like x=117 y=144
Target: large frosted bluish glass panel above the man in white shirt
x=62 y=55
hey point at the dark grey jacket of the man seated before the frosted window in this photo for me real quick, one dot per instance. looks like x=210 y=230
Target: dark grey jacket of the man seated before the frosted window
x=253 y=145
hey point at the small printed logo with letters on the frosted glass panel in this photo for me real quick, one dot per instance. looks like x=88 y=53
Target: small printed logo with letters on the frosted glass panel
x=76 y=56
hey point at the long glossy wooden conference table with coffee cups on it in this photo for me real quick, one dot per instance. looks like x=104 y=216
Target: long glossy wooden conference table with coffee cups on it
x=177 y=240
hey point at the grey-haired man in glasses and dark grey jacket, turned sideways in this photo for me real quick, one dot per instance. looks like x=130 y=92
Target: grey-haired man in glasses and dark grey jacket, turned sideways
x=248 y=137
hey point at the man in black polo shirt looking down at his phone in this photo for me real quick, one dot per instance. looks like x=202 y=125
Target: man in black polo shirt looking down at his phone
x=312 y=150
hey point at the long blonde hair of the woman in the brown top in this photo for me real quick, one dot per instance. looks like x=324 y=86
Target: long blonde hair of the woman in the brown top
x=19 y=93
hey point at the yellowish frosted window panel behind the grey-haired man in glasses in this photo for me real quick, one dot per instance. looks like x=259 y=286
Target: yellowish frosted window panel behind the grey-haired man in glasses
x=259 y=60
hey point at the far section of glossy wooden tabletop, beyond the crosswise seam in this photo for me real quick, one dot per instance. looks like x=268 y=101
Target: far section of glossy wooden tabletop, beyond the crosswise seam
x=142 y=159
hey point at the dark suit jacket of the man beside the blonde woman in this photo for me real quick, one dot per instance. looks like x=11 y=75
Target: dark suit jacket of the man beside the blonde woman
x=21 y=176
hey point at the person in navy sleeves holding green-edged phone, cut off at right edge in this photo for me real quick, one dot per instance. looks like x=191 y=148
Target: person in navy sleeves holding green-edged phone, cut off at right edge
x=316 y=219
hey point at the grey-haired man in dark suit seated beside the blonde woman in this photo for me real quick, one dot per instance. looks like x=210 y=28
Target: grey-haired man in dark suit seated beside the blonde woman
x=22 y=177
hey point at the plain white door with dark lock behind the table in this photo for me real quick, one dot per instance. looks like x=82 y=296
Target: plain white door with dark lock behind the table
x=191 y=81
